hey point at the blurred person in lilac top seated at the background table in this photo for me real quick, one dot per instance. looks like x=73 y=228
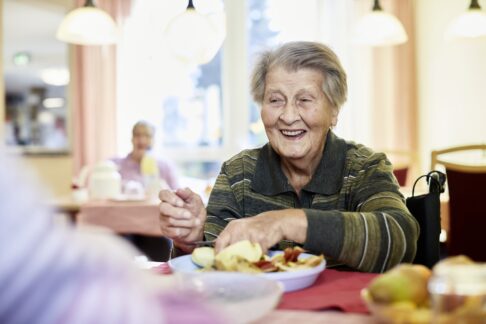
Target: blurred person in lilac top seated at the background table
x=140 y=171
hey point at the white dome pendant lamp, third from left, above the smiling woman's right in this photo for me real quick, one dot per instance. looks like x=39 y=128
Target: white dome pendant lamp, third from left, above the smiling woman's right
x=379 y=28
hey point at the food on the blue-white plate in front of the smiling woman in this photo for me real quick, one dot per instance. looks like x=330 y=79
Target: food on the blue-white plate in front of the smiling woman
x=245 y=256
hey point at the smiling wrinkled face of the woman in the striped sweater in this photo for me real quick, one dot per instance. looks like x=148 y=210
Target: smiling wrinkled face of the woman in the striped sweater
x=296 y=113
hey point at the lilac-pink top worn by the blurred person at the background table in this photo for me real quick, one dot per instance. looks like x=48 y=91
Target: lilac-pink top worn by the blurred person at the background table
x=130 y=170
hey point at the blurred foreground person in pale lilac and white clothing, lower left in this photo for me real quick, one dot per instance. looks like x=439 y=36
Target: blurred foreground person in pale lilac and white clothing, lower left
x=53 y=273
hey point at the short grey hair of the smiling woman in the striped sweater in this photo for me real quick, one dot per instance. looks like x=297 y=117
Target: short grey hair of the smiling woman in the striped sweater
x=294 y=56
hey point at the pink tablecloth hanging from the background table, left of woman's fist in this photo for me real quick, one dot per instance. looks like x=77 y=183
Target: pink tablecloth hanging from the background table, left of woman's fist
x=137 y=217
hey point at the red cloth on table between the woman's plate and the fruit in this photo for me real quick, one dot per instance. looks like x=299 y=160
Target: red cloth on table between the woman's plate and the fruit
x=332 y=290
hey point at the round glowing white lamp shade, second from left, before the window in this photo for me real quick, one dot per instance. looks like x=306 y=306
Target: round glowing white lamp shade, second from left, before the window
x=196 y=38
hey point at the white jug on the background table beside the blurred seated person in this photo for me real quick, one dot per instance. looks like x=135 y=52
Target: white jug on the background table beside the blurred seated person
x=104 y=181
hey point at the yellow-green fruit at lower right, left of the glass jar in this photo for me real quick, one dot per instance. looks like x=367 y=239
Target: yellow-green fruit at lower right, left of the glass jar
x=403 y=283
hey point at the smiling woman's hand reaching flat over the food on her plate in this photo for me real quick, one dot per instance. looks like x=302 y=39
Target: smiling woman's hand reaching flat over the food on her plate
x=267 y=229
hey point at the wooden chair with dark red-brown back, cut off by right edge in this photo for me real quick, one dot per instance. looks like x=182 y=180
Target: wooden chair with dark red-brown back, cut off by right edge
x=465 y=167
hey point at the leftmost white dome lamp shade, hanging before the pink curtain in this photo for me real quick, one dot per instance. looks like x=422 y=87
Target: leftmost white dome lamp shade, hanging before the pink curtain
x=88 y=25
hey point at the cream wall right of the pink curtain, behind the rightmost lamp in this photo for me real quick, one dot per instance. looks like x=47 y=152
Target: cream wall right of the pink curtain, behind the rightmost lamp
x=451 y=80
